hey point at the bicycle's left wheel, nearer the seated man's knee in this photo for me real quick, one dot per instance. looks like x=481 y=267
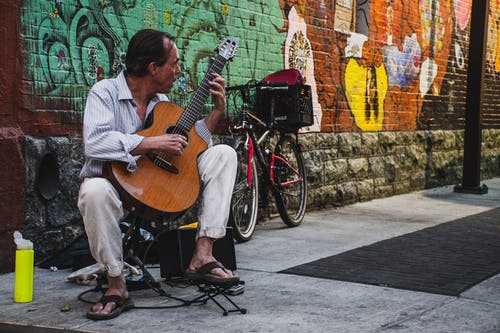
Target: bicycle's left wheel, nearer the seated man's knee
x=245 y=199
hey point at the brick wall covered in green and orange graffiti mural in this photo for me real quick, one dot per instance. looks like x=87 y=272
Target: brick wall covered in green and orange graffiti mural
x=372 y=65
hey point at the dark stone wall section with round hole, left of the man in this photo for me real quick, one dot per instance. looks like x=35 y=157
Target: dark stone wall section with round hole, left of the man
x=52 y=168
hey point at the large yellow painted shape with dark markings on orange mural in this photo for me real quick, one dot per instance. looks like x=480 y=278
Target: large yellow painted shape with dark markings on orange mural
x=356 y=83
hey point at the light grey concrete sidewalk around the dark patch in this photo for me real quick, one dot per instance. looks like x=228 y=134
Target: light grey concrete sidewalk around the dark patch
x=289 y=303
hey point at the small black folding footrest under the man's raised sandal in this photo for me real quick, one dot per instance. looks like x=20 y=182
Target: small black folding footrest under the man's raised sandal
x=211 y=290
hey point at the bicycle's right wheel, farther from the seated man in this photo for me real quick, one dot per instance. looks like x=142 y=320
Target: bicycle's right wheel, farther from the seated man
x=290 y=177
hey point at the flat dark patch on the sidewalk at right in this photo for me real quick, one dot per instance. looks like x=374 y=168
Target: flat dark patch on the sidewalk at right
x=445 y=259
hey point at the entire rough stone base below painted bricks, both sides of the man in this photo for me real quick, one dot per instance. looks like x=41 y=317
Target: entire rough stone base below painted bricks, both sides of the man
x=342 y=169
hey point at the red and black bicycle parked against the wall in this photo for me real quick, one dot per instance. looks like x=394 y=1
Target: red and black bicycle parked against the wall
x=266 y=145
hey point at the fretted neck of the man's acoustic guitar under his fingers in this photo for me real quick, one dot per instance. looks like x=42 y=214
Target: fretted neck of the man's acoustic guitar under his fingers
x=190 y=115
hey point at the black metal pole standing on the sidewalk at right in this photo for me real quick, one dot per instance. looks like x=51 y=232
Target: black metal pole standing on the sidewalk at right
x=473 y=112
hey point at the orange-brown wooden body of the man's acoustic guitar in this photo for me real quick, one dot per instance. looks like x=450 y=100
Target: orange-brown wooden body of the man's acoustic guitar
x=152 y=190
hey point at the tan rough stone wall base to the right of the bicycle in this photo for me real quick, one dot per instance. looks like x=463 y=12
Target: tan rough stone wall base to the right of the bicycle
x=346 y=168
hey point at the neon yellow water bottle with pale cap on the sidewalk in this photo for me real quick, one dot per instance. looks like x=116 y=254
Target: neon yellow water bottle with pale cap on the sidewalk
x=24 y=269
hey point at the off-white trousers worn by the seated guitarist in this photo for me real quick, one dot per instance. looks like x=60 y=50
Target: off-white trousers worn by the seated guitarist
x=102 y=209
